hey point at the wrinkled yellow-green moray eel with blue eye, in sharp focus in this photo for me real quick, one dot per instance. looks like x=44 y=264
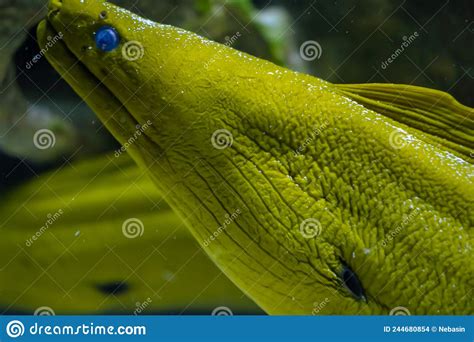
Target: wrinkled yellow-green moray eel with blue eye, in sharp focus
x=350 y=199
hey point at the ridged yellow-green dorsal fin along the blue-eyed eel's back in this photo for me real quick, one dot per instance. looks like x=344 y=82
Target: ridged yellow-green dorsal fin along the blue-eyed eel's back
x=436 y=113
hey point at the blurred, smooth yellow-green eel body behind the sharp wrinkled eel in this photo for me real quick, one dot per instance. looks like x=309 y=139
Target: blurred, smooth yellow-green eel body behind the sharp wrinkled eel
x=63 y=246
